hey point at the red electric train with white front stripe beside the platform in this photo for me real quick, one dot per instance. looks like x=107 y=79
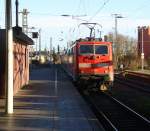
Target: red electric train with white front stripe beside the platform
x=90 y=60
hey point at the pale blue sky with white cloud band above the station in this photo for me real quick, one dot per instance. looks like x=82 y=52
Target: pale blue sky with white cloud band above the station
x=46 y=14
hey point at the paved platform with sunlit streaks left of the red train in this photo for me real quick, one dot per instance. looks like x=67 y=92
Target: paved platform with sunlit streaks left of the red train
x=49 y=103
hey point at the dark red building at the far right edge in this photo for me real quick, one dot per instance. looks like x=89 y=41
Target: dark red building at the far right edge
x=146 y=41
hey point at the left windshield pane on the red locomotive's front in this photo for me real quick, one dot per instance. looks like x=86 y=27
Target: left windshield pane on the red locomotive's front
x=86 y=49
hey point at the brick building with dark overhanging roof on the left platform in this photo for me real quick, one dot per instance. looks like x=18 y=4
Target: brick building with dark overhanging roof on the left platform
x=21 y=44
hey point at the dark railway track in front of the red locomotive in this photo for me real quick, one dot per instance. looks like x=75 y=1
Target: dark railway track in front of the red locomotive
x=114 y=115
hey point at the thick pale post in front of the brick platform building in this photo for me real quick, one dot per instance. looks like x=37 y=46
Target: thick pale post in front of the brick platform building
x=9 y=58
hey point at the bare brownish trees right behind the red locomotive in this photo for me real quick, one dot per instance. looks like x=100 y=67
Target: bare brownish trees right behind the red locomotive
x=124 y=51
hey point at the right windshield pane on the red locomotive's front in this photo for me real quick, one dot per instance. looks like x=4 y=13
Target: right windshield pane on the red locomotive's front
x=101 y=49
